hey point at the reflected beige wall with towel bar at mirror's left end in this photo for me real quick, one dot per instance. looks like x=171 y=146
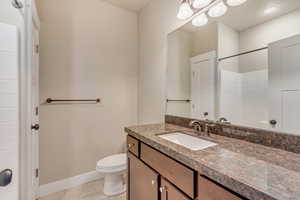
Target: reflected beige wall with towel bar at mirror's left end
x=178 y=72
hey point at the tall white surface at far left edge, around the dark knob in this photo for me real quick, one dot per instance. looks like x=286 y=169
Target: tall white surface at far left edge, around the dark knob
x=9 y=110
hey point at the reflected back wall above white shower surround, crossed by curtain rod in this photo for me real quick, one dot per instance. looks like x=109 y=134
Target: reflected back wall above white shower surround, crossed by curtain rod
x=263 y=34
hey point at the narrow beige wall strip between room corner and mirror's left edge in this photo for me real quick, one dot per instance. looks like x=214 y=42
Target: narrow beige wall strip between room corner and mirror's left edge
x=156 y=20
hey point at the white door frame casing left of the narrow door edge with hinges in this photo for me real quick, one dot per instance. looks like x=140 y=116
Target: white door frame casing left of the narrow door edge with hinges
x=31 y=22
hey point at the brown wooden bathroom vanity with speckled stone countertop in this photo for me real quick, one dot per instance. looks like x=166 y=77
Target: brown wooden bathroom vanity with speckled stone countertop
x=231 y=170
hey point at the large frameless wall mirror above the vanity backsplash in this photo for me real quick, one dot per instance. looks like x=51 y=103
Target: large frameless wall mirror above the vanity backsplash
x=243 y=67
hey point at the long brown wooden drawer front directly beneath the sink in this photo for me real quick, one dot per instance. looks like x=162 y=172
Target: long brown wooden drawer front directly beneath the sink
x=176 y=173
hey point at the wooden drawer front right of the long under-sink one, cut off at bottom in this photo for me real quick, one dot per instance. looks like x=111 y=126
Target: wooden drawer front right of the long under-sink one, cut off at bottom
x=208 y=190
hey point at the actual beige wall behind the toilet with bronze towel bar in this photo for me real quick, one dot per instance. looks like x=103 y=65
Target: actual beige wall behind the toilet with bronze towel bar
x=88 y=50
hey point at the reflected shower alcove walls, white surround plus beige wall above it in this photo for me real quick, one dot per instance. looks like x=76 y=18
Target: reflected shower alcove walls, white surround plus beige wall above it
x=244 y=79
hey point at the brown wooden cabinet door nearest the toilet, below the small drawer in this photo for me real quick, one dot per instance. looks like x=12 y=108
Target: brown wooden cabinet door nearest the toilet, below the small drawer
x=142 y=180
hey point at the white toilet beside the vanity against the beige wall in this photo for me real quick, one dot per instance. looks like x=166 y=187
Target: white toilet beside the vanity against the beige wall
x=114 y=167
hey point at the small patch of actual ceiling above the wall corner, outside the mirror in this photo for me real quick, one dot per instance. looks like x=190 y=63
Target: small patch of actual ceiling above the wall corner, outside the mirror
x=133 y=5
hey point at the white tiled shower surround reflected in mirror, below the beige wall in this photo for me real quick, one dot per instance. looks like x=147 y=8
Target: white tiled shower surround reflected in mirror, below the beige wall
x=243 y=97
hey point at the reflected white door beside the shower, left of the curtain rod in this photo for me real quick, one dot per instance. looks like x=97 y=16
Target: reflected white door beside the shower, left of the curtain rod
x=203 y=86
